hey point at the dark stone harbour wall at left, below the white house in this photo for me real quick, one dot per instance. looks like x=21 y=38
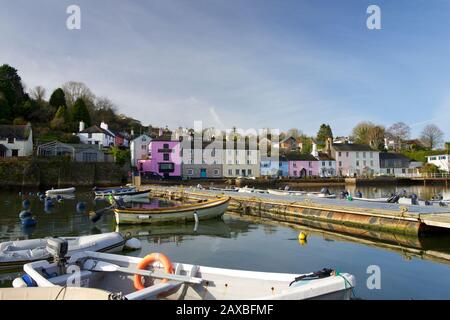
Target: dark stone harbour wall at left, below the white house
x=38 y=172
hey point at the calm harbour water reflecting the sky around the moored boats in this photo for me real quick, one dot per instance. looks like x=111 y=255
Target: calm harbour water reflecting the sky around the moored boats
x=411 y=268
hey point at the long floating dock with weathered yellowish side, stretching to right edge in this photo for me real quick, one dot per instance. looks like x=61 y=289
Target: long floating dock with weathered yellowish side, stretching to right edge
x=311 y=211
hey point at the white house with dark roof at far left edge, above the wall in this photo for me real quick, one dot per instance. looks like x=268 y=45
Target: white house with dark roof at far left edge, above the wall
x=16 y=140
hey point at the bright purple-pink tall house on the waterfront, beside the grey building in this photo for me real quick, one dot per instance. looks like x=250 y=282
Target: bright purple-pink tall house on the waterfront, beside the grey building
x=163 y=158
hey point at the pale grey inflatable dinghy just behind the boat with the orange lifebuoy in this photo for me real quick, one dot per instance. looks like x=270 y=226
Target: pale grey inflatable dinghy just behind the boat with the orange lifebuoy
x=13 y=254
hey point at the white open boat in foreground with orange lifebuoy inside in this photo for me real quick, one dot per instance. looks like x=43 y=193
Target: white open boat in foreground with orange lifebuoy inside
x=124 y=277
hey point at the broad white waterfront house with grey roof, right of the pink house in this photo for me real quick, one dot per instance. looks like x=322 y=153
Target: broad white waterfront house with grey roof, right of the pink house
x=355 y=159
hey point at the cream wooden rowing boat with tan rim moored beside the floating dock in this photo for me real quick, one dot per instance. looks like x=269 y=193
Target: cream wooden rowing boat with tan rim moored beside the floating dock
x=189 y=212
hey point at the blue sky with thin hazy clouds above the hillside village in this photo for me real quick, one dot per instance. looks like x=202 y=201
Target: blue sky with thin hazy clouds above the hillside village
x=244 y=63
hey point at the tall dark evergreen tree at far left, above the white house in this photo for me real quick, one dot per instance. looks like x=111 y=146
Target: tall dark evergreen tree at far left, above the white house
x=11 y=88
